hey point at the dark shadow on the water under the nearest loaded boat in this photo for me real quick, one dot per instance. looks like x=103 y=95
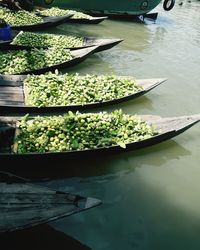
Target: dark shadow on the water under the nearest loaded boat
x=62 y=168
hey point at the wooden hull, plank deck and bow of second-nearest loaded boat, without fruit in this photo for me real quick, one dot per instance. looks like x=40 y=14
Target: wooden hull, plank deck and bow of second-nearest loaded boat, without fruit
x=13 y=95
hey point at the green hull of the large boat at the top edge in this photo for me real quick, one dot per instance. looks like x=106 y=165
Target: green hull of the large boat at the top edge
x=135 y=7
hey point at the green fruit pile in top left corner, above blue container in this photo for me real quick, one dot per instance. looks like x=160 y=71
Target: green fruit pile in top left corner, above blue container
x=19 y=18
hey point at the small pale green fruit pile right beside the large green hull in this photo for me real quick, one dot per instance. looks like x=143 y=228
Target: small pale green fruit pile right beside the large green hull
x=55 y=11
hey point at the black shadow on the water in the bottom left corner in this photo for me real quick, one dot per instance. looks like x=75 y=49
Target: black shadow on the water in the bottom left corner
x=41 y=237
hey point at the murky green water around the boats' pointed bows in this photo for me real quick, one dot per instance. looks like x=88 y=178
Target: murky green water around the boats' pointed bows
x=151 y=196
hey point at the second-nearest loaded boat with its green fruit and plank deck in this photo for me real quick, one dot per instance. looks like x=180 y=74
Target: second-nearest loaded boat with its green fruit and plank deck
x=15 y=93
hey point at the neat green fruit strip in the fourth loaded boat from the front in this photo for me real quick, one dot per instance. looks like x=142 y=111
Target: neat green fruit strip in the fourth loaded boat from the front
x=47 y=40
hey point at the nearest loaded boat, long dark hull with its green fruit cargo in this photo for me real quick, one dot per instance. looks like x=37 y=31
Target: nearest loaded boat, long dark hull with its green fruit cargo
x=166 y=128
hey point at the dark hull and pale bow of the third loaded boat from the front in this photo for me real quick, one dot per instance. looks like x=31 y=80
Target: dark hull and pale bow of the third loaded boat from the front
x=79 y=56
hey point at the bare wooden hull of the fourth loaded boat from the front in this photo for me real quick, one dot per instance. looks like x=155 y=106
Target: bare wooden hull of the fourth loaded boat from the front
x=102 y=43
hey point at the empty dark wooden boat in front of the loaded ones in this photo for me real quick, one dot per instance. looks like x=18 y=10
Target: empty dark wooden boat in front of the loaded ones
x=24 y=205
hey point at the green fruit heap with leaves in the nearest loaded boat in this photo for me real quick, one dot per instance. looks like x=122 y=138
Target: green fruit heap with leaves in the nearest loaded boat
x=79 y=131
